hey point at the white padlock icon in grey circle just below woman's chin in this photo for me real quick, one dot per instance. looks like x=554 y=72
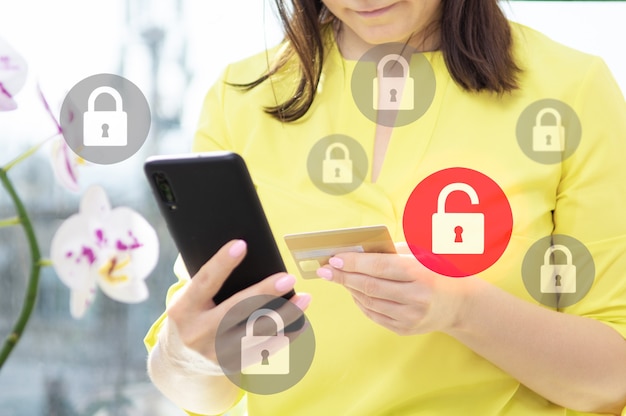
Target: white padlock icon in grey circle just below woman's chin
x=393 y=92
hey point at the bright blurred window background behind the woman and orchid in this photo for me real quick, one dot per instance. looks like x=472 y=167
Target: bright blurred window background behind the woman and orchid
x=173 y=50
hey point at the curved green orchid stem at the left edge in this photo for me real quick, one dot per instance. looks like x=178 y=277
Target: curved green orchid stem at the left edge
x=35 y=267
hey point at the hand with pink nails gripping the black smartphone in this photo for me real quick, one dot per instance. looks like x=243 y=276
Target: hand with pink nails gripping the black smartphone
x=195 y=315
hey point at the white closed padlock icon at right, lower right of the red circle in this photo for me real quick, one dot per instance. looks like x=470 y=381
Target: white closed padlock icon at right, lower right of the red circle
x=558 y=278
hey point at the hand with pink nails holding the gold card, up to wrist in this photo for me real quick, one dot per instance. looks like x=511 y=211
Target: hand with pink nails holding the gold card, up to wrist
x=398 y=292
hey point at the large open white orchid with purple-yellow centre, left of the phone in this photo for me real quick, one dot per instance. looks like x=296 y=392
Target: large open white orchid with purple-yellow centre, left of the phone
x=114 y=249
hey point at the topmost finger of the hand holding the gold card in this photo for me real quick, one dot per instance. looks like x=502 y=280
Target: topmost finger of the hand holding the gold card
x=384 y=266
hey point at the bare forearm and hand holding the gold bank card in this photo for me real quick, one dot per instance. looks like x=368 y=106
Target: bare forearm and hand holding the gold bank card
x=401 y=294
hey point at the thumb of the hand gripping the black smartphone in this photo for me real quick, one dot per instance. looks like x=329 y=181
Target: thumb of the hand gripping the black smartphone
x=209 y=279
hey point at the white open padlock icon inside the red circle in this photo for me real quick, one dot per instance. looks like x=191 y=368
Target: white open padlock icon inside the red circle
x=457 y=232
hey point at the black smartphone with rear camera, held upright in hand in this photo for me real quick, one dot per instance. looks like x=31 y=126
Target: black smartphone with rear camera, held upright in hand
x=208 y=199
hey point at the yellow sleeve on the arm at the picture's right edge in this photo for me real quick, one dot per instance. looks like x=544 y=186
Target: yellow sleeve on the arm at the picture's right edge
x=592 y=195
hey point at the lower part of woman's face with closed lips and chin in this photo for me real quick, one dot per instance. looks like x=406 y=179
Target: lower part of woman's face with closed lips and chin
x=381 y=21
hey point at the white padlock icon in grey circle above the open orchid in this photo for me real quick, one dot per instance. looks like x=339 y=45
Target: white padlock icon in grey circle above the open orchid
x=105 y=128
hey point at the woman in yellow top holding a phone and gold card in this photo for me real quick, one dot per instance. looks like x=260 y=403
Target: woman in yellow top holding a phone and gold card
x=394 y=337
